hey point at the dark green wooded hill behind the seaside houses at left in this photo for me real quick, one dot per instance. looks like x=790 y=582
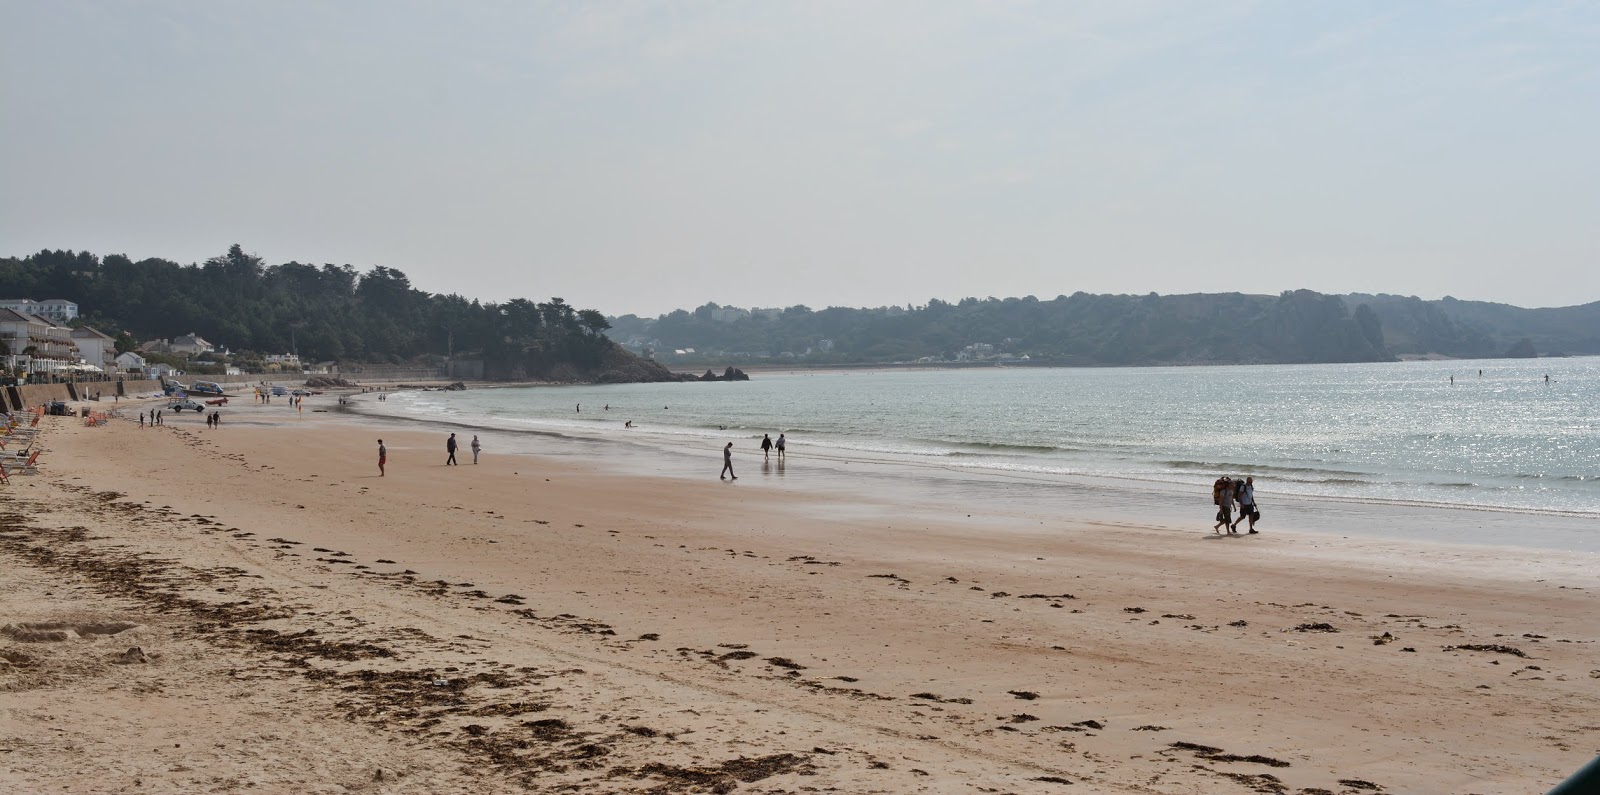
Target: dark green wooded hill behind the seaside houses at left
x=319 y=313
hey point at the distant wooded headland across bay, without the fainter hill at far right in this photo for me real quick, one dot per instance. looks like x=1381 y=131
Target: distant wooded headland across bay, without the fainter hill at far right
x=1068 y=330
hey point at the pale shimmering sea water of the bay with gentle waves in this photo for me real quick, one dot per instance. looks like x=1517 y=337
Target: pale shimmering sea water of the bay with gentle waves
x=1404 y=434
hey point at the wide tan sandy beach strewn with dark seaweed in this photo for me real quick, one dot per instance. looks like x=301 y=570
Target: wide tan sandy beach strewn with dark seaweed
x=561 y=625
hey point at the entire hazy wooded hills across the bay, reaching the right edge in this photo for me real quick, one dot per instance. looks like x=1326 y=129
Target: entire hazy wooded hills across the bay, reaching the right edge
x=1210 y=329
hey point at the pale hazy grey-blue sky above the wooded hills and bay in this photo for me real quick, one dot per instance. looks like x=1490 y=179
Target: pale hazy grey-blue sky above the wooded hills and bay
x=642 y=158
